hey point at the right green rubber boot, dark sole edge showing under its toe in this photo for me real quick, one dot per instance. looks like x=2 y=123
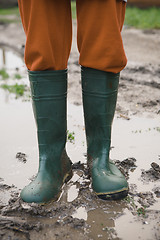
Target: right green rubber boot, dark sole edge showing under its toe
x=99 y=101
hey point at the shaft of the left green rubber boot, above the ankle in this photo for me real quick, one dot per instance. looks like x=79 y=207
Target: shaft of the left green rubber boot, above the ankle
x=49 y=93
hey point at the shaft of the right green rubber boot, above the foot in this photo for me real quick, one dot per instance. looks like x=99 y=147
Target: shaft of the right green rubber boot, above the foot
x=99 y=100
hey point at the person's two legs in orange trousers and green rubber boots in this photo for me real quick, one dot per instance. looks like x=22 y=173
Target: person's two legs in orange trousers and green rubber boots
x=48 y=29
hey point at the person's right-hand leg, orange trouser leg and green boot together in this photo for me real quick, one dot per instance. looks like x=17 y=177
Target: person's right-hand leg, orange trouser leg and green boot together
x=102 y=57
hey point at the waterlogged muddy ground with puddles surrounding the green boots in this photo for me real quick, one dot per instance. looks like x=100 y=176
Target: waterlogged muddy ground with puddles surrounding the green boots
x=78 y=214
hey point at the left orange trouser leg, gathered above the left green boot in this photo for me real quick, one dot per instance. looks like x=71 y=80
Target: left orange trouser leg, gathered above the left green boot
x=48 y=28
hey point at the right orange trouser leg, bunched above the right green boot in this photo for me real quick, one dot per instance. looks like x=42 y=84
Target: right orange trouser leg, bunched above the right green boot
x=99 y=34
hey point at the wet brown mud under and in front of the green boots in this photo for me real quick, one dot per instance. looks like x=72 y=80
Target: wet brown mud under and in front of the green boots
x=81 y=215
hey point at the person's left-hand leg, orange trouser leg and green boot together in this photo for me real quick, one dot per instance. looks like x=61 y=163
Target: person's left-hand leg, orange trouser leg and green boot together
x=47 y=25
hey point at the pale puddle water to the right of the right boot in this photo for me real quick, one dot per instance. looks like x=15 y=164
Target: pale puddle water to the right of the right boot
x=137 y=138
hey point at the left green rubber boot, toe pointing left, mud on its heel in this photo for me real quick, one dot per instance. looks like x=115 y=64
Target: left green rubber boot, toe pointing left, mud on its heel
x=49 y=92
